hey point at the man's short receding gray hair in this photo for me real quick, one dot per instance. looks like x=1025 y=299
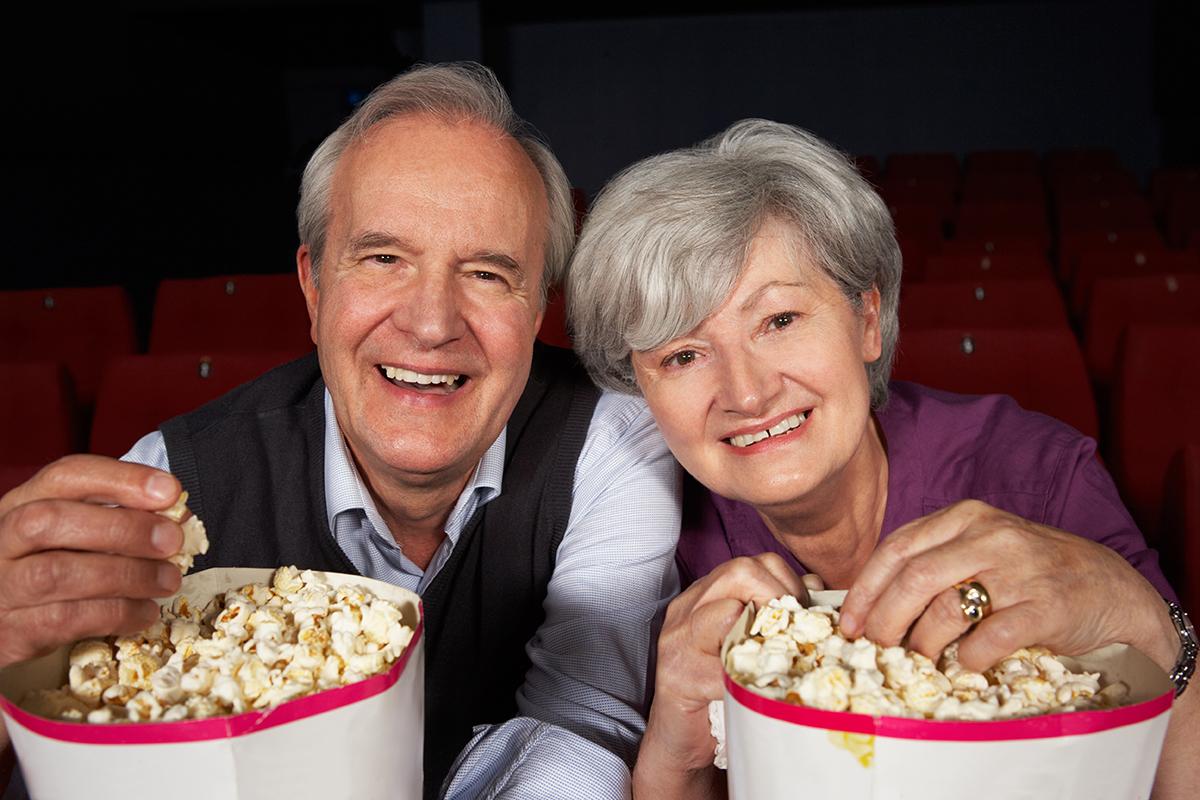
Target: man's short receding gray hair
x=455 y=93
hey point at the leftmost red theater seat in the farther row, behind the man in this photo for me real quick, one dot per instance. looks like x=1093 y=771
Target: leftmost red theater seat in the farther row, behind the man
x=83 y=328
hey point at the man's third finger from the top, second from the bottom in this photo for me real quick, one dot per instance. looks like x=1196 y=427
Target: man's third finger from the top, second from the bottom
x=63 y=576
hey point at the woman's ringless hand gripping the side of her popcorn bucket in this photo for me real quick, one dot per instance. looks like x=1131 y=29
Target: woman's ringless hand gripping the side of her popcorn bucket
x=676 y=757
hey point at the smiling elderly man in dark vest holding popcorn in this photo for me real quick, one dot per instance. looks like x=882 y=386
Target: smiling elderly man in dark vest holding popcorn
x=537 y=518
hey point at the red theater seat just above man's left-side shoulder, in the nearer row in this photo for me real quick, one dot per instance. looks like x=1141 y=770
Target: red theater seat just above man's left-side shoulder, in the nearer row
x=140 y=393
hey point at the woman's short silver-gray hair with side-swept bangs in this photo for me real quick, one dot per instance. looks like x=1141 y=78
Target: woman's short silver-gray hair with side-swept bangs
x=668 y=239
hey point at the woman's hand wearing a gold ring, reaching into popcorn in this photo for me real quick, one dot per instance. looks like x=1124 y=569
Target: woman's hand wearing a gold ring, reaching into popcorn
x=1047 y=587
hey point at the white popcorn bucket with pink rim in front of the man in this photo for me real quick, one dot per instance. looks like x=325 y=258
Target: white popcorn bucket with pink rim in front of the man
x=363 y=741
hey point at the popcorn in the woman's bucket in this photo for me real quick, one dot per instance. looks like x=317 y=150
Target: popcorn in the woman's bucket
x=800 y=655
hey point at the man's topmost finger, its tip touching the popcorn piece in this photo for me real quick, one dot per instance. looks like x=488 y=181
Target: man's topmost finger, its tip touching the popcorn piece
x=98 y=479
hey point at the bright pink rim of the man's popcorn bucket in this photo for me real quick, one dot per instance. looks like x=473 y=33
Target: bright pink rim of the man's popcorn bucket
x=154 y=733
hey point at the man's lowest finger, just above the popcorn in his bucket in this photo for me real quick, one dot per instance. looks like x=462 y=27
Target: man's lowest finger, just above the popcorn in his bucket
x=32 y=633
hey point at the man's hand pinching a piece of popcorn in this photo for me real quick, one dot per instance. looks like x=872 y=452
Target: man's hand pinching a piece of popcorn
x=73 y=566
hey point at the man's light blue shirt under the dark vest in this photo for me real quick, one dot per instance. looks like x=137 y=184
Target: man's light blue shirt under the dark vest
x=581 y=702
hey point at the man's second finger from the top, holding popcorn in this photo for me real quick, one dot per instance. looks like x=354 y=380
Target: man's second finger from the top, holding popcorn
x=65 y=525
